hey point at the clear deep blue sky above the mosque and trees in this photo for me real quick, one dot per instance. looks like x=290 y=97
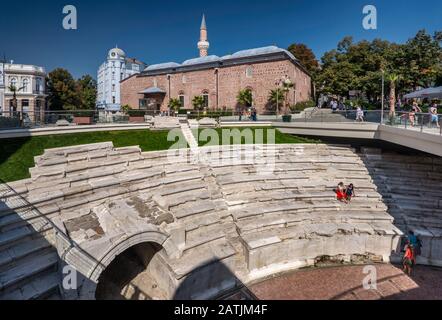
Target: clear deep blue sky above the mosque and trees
x=31 y=32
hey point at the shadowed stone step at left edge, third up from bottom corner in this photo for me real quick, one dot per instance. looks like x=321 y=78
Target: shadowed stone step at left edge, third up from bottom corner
x=22 y=250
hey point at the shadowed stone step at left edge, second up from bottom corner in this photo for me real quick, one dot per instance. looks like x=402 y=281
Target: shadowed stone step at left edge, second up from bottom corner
x=26 y=269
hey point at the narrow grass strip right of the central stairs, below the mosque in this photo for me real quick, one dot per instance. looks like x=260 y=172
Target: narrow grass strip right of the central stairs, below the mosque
x=280 y=138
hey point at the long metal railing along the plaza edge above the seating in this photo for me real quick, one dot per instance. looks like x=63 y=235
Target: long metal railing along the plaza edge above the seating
x=423 y=122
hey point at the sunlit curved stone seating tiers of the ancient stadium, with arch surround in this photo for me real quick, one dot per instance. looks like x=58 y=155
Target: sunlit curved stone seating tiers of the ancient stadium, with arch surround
x=220 y=222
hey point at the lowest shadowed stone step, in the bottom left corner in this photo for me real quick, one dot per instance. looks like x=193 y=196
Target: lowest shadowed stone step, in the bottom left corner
x=44 y=287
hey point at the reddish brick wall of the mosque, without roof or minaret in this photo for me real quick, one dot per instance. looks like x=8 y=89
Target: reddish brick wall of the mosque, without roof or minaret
x=231 y=80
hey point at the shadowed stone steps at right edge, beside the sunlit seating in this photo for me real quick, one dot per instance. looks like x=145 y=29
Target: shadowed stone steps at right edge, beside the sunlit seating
x=411 y=188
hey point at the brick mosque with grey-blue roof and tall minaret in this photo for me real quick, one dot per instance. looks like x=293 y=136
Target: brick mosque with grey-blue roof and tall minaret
x=218 y=79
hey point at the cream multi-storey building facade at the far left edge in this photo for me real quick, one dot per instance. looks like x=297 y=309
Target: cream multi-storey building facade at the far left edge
x=29 y=82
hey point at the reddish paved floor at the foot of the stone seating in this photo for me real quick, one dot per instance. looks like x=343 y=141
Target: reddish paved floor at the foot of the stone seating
x=346 y=283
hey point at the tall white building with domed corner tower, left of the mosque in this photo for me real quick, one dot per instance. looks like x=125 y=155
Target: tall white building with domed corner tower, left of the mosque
x=116 y=68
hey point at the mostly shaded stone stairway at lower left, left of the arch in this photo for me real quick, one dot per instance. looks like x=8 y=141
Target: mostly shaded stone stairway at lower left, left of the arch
x=28 y=260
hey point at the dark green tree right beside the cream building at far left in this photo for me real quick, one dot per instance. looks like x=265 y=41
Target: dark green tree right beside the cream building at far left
x=62 y=93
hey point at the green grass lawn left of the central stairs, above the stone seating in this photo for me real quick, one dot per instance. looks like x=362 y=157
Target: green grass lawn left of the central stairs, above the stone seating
x=17 y=154
